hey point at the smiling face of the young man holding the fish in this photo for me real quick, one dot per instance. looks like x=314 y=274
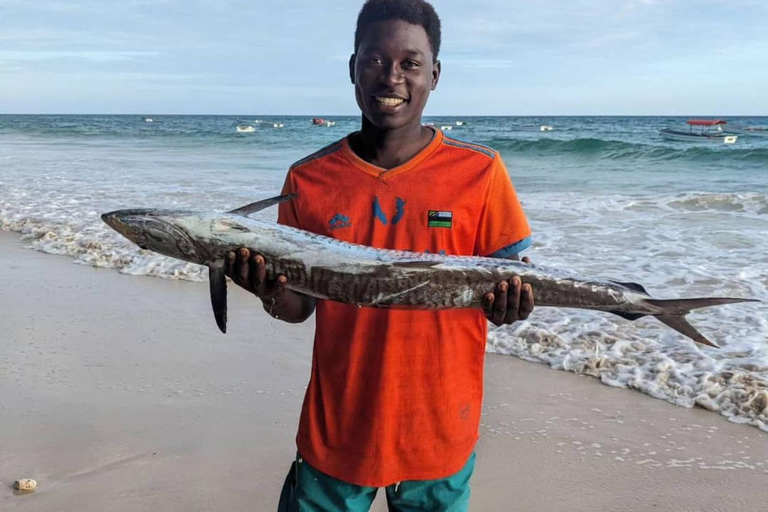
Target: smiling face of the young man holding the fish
x=393 y=72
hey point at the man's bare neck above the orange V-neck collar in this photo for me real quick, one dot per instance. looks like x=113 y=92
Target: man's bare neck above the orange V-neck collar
x=390 y=148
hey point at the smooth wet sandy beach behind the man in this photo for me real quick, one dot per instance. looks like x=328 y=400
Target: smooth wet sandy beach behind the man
x=119 y=394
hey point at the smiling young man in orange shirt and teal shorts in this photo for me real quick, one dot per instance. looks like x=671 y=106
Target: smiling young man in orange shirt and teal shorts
x=394 y=397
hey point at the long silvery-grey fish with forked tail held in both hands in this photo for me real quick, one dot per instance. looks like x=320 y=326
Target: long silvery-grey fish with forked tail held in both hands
x=326 y=268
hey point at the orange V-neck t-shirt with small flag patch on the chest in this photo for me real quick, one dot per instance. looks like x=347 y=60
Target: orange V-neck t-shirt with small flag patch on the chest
x=396 y=394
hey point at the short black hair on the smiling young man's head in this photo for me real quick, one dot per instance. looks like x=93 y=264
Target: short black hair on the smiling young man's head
x=415 y=12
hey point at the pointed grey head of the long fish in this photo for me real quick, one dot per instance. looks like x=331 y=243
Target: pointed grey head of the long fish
x=155 y=230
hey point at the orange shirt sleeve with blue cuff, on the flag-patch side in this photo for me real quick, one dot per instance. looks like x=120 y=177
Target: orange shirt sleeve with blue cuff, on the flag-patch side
x=503 y=229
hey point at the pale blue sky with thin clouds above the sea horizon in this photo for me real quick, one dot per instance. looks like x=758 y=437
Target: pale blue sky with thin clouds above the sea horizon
x=499 y=57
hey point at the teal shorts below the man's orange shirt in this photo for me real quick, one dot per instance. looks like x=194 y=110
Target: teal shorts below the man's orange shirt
x=308 y=490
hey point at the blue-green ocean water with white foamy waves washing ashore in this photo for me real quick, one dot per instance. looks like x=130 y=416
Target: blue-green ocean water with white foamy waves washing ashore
x=605 y=196
